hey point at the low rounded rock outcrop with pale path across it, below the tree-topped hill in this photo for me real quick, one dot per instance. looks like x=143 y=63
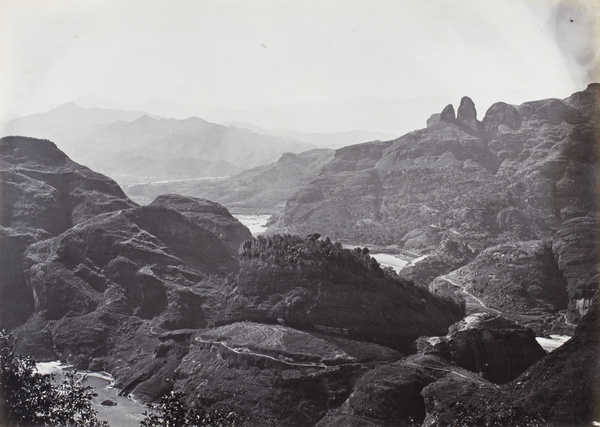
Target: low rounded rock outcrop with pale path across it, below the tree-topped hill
x=275 y=374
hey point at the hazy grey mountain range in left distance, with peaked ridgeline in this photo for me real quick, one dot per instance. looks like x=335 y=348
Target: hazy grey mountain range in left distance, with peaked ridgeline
x=135 y=147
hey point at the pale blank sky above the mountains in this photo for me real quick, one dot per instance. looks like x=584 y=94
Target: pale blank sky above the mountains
x=240 y=54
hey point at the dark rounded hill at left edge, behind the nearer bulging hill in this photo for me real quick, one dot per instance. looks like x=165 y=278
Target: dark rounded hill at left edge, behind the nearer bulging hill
x=42 y=194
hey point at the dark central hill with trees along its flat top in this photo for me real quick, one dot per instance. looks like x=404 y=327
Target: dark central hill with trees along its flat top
x=314 y=284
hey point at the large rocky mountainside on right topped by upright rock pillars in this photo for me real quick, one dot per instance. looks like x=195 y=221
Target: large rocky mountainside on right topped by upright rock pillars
x=520 y=172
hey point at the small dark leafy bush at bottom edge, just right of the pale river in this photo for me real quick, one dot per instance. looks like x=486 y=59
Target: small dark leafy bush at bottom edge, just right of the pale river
x=172 y=412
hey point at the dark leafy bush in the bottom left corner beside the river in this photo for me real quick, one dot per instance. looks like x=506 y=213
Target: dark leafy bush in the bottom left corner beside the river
x=30 y=398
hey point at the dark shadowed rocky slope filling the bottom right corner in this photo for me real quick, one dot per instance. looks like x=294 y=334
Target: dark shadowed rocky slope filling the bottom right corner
x=562 y=389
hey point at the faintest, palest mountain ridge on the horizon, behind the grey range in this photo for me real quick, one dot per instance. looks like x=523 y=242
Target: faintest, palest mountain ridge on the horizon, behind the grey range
x=391 y=116
